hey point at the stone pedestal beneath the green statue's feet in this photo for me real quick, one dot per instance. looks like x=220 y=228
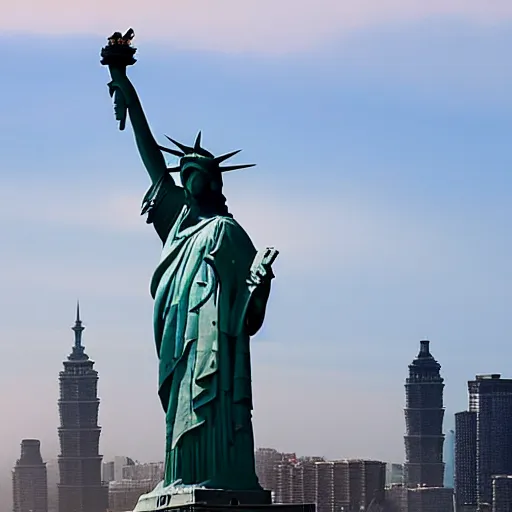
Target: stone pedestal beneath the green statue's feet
x=197 y=499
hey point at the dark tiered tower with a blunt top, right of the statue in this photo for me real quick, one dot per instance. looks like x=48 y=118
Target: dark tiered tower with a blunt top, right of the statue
x=424 y=414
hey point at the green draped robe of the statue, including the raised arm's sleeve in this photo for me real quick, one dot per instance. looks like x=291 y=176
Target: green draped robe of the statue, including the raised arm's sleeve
x=202 y=294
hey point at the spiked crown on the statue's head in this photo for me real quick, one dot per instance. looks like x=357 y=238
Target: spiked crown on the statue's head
x=199 y=157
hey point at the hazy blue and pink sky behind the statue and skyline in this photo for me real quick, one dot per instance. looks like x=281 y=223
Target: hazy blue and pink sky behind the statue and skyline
x=382 y=138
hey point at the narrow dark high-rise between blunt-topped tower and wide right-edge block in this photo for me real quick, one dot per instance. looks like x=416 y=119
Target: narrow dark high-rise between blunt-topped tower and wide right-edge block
x=465 y=461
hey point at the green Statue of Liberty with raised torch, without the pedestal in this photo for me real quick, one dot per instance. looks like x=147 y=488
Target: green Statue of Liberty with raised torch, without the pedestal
x=210 y=292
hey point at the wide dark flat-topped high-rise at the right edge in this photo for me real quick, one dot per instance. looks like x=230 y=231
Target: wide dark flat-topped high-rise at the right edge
x=490 y=397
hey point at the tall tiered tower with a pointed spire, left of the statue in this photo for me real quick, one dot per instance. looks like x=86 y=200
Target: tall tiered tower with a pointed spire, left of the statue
x=80 y=487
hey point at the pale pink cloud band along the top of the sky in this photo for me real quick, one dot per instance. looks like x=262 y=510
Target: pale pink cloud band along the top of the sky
x=268 y=26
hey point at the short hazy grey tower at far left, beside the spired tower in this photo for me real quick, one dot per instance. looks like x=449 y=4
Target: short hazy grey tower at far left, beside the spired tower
x=29 y=483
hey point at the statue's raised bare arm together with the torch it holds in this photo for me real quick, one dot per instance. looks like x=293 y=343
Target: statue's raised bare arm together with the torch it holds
x=118 y=55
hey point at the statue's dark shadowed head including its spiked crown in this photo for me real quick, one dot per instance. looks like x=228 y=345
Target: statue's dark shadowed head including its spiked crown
x=200 y=171
